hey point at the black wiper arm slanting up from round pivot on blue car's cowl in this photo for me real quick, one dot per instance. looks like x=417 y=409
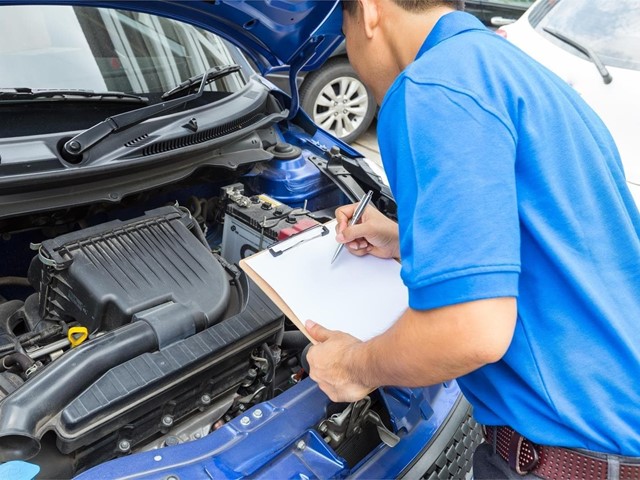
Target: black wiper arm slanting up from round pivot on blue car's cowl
x=87 y=139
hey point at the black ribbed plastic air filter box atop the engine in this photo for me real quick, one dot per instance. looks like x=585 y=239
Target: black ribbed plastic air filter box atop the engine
x=101 y=276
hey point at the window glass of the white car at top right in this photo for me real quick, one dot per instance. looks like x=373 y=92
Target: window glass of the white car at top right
x=611 y=28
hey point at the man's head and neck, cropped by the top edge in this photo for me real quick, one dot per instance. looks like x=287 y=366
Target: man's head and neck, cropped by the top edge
x=384 y=36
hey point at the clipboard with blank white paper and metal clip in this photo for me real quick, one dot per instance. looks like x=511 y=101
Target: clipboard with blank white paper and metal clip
x=362 y=296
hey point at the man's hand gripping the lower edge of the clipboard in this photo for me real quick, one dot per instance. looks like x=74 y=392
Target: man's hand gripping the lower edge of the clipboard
x=329 y=362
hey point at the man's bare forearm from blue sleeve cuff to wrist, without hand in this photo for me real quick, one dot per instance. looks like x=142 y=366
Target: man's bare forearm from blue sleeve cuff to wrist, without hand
x=429 y=347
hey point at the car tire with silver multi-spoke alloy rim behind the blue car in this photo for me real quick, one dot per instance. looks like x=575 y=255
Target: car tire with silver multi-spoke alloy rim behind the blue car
x=337 y=100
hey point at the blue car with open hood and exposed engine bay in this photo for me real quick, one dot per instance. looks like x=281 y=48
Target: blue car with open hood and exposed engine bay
x=141 y=157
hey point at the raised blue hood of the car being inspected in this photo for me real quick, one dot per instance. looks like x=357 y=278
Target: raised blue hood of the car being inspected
x=272 y=32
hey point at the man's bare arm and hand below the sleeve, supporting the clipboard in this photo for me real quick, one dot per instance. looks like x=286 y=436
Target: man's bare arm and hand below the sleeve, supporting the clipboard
x=422 y=348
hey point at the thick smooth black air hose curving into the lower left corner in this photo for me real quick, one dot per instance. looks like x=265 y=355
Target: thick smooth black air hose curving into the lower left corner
x=23 y=411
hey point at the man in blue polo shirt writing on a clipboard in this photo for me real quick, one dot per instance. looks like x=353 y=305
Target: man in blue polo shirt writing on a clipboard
x=519 y=244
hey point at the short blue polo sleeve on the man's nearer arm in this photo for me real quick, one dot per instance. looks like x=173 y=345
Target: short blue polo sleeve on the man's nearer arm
x=450 y=160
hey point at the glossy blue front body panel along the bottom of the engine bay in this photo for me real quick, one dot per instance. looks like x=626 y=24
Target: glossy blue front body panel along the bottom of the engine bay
x=280 y=441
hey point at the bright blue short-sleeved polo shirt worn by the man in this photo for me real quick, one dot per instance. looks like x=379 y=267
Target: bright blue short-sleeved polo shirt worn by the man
x=507 y=184
